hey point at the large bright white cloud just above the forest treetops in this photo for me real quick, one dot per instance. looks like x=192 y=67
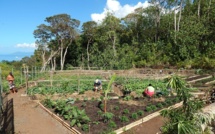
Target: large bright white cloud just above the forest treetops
x=117 y=9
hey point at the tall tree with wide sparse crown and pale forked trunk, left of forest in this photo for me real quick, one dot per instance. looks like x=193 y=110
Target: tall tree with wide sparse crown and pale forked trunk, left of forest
x=64 y=31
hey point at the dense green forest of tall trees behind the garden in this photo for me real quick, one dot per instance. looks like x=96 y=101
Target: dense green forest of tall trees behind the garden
x=168 y=33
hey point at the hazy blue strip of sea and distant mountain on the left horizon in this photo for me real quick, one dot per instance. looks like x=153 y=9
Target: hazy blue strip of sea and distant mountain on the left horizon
x=15 y=56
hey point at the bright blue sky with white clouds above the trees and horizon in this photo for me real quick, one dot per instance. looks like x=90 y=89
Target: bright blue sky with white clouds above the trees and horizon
x=19 y=18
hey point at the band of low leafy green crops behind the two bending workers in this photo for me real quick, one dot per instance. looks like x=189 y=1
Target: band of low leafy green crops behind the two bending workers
x=67 y=84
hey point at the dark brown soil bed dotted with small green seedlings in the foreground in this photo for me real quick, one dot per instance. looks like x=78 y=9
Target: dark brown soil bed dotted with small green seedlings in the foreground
x=124 y=112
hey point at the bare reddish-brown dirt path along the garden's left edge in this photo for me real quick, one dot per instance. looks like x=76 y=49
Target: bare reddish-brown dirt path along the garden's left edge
x=29 y=118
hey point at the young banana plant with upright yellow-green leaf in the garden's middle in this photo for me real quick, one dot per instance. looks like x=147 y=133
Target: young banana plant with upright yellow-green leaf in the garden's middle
x=108 y=90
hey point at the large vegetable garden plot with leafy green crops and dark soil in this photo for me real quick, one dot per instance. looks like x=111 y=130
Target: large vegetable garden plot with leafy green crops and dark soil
x=83 y=109
